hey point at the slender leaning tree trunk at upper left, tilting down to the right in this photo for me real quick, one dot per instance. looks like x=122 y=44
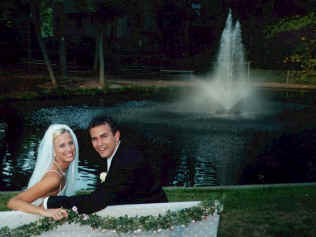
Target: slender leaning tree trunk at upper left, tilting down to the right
x=37 y=26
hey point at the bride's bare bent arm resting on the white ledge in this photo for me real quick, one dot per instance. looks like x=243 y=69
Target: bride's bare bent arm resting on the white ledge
x=49 y=185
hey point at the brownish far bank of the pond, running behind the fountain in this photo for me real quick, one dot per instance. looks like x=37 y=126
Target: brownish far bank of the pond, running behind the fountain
x=29 y=86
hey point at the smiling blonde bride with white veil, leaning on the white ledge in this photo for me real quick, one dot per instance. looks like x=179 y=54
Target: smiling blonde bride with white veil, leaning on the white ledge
x=54 y=174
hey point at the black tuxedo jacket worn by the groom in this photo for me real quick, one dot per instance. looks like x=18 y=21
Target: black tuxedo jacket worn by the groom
x=130 y=180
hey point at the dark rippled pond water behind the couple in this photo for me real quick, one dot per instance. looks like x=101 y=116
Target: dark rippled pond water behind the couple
x=273 y=142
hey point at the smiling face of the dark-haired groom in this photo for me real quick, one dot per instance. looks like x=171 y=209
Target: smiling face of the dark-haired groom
x=103 y=140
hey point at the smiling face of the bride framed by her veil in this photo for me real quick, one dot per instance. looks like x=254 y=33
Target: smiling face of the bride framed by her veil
x=65 y=149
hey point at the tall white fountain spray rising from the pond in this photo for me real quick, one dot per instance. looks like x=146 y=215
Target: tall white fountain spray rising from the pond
x=229 y=84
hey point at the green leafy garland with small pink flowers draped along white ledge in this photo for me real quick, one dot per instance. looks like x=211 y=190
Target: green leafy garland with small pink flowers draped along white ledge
x=123 y=224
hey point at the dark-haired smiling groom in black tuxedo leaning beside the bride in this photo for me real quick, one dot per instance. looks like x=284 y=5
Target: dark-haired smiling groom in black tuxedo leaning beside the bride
x=128 y=180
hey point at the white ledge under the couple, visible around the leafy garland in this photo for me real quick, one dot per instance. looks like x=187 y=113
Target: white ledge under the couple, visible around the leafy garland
x=207 y=227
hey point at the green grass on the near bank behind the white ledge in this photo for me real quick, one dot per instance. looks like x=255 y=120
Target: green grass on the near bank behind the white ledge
x=253 y=211
